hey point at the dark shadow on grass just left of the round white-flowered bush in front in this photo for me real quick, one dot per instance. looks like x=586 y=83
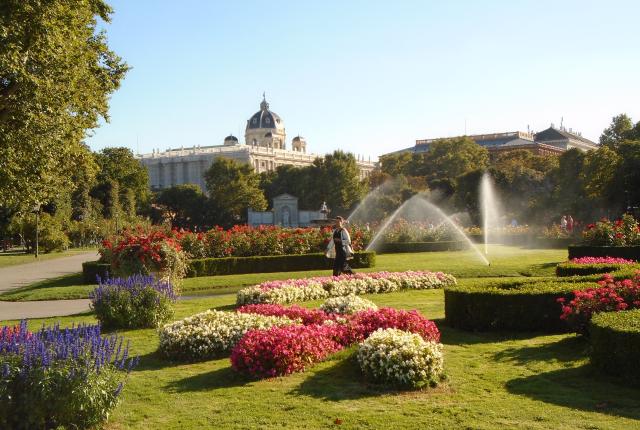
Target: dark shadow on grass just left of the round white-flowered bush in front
x=342 y=380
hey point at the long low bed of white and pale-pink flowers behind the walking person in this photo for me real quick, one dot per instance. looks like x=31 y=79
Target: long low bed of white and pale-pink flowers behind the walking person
x=294 y=290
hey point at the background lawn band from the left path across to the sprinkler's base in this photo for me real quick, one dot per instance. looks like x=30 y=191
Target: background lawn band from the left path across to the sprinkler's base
x=505 y=262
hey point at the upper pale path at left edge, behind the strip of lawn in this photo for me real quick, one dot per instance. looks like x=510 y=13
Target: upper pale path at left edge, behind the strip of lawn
x=12 y=277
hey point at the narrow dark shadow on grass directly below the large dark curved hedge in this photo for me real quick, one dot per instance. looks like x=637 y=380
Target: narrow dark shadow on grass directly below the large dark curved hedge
x=569 y=349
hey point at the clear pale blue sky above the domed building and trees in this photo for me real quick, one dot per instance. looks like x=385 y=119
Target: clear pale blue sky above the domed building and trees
x=369 y=77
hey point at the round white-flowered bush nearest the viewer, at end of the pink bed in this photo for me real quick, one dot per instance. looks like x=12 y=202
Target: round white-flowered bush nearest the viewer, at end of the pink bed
x=399 y=358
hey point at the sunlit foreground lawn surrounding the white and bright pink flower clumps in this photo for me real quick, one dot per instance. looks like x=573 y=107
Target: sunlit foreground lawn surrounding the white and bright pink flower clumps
x=497 y=380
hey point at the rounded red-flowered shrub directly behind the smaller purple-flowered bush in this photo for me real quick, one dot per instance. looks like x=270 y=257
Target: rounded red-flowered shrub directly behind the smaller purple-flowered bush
x=142 y=252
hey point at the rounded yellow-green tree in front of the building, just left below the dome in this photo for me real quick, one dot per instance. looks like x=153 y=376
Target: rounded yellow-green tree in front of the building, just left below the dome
x=233 y=187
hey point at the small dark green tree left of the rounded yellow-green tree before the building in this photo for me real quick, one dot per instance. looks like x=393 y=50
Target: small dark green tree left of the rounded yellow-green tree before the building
x=185 y=204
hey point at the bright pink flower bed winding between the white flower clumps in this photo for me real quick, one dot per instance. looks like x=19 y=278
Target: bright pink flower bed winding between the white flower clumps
x=283 y=350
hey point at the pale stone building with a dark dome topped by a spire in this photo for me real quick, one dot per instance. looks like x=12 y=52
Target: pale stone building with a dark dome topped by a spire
x=264 y=148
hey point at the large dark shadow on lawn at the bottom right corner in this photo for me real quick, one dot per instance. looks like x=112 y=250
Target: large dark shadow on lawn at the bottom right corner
x=580 y=388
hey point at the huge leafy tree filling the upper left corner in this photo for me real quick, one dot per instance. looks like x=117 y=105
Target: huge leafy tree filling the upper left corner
x=57 y=73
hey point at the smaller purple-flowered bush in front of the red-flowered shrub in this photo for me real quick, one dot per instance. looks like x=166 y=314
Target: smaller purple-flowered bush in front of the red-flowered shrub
x=133 y=302
